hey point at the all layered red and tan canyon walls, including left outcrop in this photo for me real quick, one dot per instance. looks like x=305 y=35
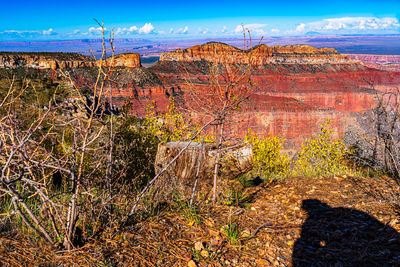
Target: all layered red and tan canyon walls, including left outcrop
x=296 y=87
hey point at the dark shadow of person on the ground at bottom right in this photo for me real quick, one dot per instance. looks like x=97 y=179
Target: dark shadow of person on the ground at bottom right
x=344 y=237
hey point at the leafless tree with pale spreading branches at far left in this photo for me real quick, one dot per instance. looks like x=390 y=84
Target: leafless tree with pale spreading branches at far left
x=28 y=166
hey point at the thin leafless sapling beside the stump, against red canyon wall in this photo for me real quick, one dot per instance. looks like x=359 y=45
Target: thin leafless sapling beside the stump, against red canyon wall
x=229 y=85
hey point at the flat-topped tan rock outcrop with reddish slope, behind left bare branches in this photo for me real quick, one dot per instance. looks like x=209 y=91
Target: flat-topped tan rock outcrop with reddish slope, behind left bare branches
x=129 y=83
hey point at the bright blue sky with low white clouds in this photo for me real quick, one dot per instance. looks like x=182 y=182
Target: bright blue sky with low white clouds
x=44 y=19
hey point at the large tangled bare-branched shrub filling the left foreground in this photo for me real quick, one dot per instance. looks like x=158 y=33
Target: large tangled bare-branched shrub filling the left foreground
x=56 y=154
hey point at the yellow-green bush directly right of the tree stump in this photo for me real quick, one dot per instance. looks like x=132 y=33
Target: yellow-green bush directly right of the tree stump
x=268 y=160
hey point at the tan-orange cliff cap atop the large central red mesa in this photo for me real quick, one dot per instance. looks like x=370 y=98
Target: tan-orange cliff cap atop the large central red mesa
x=259 y=55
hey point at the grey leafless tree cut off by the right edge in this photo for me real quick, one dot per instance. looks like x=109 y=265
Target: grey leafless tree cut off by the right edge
x=377 y=141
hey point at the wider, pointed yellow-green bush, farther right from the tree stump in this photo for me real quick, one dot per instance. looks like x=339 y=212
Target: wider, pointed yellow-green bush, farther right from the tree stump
x=322 y=155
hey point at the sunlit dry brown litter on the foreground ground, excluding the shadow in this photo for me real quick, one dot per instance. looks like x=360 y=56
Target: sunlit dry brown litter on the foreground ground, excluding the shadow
x=268 y=229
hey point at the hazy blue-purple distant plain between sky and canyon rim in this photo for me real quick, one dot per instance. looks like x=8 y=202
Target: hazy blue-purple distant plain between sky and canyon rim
x=383 y=44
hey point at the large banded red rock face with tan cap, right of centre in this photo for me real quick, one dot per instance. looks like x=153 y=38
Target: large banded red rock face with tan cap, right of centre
x=296 y=87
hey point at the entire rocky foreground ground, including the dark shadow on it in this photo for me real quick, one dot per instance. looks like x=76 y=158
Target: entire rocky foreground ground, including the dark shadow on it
x=338 y=221
